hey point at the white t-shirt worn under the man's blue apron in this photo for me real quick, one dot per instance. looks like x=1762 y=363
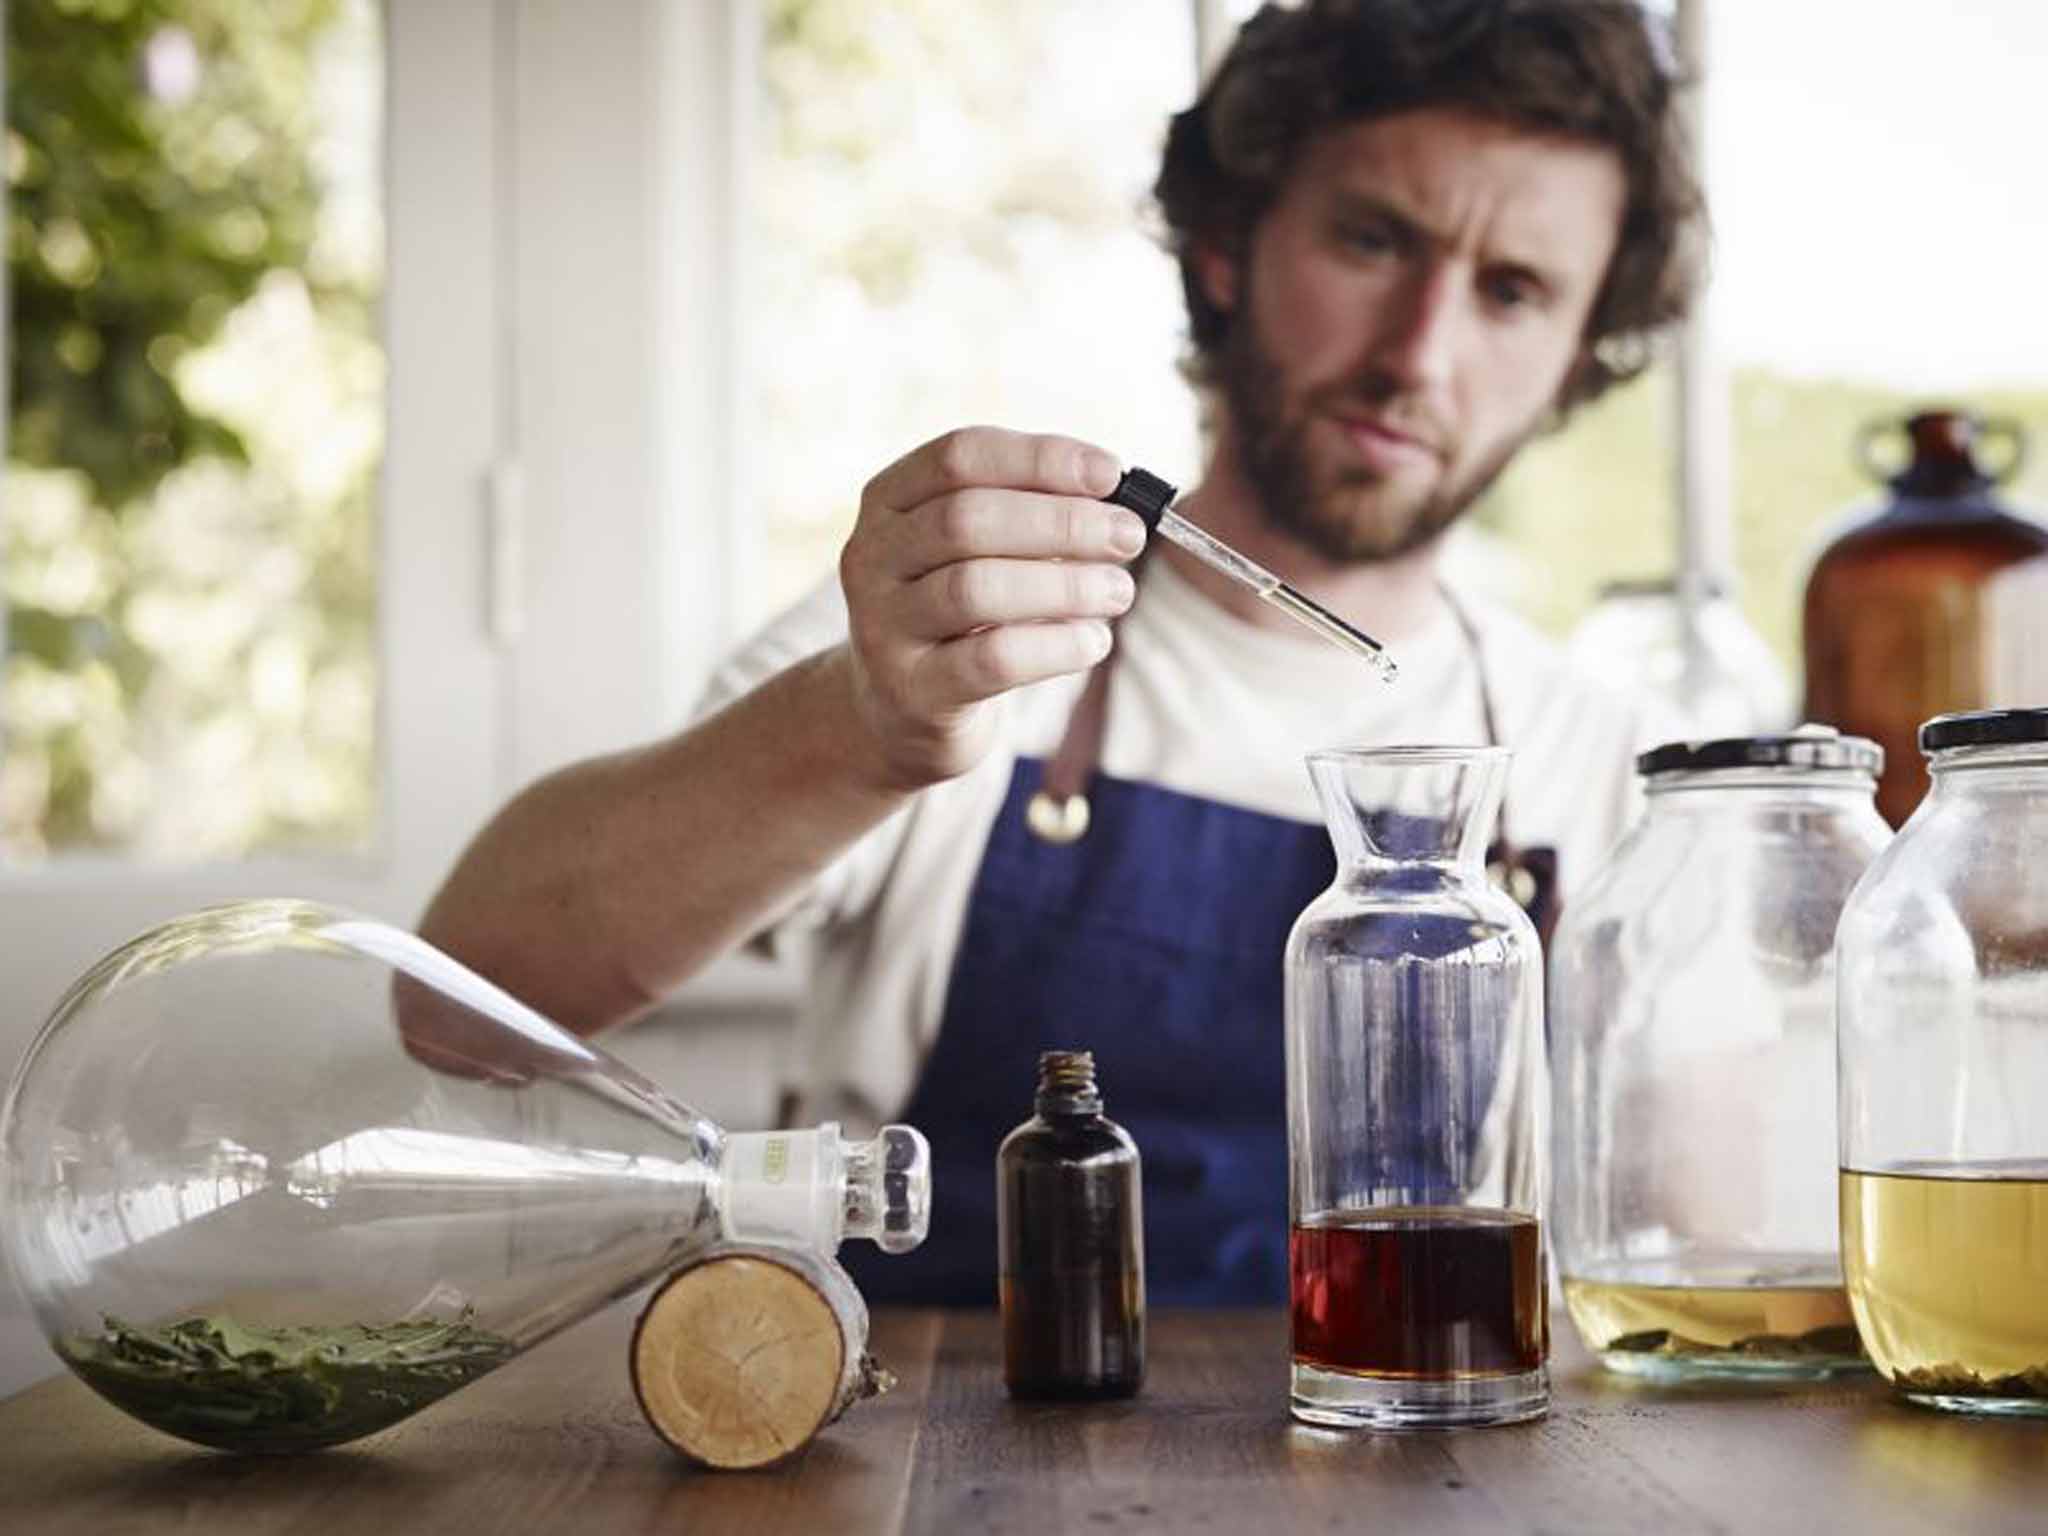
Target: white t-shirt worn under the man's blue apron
x=1203 y=703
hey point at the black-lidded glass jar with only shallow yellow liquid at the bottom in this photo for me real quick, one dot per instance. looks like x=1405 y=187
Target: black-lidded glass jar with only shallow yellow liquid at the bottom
x=1693 y=1052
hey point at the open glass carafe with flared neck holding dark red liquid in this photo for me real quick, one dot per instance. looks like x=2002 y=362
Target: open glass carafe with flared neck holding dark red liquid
x=1416 y=1107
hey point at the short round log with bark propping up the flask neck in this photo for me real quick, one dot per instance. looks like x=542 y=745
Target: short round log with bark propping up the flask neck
x=740 y=1359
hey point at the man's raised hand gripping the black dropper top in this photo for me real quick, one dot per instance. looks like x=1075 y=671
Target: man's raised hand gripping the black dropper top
x=982 y=562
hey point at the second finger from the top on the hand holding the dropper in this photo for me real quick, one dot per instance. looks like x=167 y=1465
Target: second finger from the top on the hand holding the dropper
x=1021 y=525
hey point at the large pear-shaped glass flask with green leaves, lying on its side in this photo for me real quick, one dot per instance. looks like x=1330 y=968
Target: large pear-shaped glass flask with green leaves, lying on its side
x=278 y=1177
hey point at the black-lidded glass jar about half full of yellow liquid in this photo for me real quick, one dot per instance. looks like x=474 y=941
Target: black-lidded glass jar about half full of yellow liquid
x=1945 y=1074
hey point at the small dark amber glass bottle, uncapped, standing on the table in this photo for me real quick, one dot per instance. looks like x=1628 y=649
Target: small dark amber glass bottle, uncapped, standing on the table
x=1072 y=1242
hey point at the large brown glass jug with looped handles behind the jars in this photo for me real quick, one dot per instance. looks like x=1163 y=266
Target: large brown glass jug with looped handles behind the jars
x=1902 y=620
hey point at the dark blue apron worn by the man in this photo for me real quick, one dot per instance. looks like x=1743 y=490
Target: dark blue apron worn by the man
x=1156 y=943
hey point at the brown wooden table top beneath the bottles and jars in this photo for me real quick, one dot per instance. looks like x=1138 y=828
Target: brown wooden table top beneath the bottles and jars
x=556 y=1445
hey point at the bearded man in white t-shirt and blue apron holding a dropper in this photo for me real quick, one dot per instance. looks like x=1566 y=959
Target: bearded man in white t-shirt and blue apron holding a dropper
x=1410 y=239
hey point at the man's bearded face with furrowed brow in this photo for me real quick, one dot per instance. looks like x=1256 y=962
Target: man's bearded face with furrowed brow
x=1404 y=318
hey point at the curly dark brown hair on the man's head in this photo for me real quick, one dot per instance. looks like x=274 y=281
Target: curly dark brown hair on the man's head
x=1594 y=71
